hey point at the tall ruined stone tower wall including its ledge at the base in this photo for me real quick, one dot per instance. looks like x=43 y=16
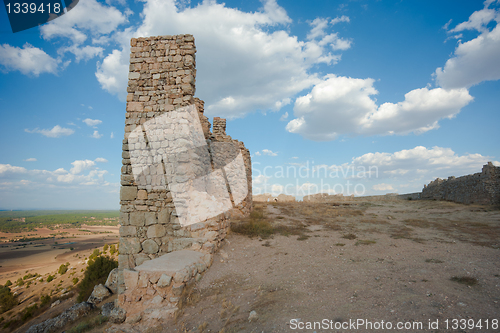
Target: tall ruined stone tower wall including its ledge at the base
x=168 y=168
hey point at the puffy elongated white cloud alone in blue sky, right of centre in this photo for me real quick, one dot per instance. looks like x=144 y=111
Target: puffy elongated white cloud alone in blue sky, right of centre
x=343 y=105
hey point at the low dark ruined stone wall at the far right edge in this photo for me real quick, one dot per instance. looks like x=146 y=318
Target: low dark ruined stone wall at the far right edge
x=480 y=188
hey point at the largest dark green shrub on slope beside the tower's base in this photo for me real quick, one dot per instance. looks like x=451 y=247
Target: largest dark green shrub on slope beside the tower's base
x=97 y=272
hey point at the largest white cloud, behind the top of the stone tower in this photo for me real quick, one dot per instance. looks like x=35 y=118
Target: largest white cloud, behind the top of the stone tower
x=266 y=64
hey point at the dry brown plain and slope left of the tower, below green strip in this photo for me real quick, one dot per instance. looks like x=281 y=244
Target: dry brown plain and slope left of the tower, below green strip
x=44 y=257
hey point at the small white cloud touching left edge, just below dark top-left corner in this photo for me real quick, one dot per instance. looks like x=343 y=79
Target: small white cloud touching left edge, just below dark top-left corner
x=27 y=60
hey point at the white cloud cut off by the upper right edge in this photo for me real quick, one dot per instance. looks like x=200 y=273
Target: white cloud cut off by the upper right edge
x=476 y=60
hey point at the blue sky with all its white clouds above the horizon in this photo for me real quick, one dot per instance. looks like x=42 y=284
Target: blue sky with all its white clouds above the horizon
x=406 y=89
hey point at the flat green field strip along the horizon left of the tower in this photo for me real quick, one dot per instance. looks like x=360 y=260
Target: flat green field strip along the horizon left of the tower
x=52 y=218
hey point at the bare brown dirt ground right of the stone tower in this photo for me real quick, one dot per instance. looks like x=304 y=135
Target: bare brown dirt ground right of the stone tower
x=406 y=263
